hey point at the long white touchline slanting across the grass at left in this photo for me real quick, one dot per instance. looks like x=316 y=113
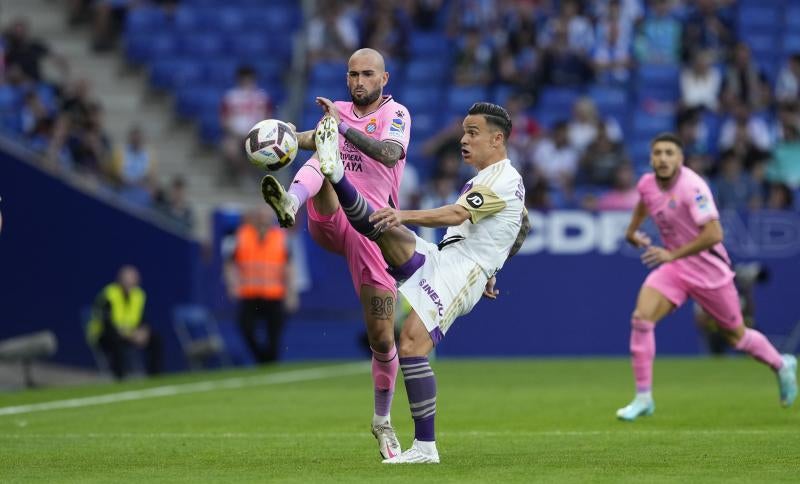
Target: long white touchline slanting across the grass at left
x=197 y=387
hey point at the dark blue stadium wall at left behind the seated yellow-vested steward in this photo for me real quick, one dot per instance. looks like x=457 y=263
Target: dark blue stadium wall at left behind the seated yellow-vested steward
x=60 y=245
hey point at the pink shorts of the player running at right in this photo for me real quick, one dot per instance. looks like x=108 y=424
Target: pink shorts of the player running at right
x=722 y=303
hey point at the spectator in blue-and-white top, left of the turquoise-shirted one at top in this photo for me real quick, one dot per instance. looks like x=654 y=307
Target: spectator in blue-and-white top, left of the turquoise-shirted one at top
x=612 y=52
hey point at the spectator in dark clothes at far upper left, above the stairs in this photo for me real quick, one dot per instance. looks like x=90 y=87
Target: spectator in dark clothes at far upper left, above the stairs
x=28 y=53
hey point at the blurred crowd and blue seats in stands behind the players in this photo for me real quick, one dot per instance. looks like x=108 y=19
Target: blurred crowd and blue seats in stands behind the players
x=588 y=85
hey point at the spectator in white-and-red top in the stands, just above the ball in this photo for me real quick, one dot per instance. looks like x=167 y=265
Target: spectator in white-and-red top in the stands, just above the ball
x=242 y=107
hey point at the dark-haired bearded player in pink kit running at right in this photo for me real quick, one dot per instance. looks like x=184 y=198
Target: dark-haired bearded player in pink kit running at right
x=693 y=263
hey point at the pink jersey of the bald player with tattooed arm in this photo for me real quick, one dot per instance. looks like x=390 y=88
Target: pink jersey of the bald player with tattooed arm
x=378 y=183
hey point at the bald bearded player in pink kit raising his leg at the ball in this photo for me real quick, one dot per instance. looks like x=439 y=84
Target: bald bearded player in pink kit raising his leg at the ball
x=375 y=131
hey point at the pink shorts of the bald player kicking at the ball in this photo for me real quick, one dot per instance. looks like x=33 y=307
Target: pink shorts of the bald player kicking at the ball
x=364 y=258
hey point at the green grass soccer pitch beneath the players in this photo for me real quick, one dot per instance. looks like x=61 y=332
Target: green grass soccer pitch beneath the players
x=497 y=421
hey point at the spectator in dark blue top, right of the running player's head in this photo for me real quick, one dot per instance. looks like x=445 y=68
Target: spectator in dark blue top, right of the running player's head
x=735 y=188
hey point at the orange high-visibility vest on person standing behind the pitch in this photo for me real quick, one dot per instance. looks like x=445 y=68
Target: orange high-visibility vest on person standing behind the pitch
x=261 y=262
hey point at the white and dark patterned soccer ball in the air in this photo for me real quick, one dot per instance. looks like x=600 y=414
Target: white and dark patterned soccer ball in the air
x=271 y=144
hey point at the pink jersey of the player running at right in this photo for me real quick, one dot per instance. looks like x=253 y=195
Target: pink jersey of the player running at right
x=679 y=213
